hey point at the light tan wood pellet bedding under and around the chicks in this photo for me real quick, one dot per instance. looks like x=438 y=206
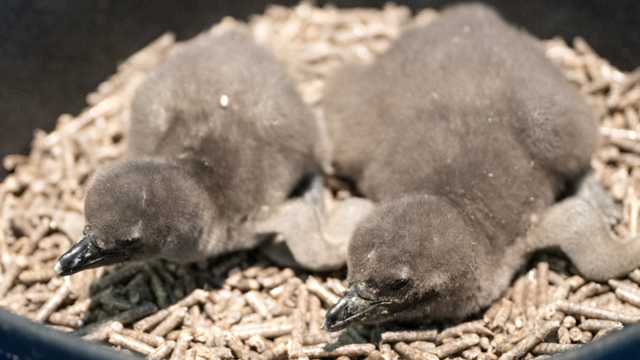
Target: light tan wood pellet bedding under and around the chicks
x=242 y=306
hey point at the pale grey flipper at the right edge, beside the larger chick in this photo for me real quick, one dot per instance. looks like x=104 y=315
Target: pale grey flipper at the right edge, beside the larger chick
x=580 y=230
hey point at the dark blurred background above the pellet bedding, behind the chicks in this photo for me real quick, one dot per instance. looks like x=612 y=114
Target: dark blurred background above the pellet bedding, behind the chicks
x=53 y=52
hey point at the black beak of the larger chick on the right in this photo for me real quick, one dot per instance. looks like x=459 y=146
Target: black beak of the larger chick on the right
x=352 y=308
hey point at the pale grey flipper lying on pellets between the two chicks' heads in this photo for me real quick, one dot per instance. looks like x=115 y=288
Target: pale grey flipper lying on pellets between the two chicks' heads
x=316 y=241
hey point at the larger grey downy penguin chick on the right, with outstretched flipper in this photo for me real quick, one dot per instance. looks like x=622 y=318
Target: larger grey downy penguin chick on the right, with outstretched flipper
x=466 y=135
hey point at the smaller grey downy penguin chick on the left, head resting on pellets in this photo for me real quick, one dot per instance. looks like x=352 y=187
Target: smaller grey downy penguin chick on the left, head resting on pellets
x=217 y=131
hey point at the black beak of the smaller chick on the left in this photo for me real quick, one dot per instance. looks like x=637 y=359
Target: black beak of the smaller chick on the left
x=86 y=255
